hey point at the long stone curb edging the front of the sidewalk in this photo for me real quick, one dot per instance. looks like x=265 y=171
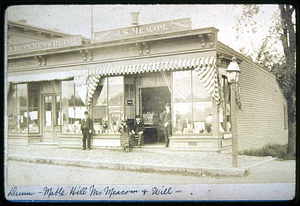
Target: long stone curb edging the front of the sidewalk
x=134 y=167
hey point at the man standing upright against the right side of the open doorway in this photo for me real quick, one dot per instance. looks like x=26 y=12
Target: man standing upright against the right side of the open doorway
x=165 y=118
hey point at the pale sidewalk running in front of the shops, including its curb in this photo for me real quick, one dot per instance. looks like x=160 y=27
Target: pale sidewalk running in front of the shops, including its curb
x=155 y=160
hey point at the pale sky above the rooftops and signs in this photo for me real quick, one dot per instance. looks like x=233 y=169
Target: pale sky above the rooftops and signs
x=76 y=19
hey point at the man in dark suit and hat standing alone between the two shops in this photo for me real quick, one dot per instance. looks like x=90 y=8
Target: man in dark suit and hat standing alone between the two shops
x=87 y=130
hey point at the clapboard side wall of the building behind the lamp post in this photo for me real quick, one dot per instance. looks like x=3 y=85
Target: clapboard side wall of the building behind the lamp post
x=261 y=120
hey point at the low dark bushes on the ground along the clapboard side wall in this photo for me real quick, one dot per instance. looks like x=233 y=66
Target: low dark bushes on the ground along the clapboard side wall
x=274 y=150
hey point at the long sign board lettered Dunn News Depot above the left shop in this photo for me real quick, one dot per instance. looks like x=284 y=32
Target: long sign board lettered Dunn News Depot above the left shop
x=45 y=45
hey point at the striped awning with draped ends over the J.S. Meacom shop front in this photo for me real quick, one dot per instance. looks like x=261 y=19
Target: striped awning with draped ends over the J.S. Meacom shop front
x=205 y=67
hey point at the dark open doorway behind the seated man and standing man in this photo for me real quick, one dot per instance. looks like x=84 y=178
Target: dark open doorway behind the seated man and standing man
x=152 y=103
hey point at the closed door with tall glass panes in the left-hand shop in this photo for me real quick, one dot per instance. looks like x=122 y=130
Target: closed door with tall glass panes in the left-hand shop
x=51 y=117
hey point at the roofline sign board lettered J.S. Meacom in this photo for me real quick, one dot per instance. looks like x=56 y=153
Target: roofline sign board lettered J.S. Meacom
x=144 y=30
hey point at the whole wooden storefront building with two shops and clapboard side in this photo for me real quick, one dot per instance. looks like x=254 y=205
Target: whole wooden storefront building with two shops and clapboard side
x=135 y=71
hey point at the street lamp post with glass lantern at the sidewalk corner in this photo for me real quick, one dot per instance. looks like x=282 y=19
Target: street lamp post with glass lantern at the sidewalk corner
x=233 y=72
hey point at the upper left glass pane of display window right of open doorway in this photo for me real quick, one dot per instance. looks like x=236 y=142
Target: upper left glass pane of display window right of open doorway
x=182 y=86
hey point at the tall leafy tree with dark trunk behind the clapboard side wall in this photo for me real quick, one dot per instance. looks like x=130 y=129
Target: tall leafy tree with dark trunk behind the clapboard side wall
x=280 y=63
